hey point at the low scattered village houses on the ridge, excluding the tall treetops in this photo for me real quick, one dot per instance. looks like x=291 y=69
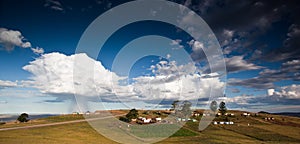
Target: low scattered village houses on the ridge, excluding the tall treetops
x=143 y=117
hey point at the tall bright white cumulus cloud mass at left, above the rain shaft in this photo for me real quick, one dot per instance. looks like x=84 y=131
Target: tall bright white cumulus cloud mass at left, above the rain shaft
x=53 y=73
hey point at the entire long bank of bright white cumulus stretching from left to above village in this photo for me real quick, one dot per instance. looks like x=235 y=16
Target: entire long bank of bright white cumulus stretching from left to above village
x=56 y=73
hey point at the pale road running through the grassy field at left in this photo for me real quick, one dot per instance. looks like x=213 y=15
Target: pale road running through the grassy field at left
x=58 y=123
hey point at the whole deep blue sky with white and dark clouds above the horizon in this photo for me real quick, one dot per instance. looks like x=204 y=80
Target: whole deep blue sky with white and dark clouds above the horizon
x=148 y=64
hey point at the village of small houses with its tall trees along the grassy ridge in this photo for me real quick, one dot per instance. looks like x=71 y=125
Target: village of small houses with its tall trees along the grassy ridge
x=182 y=113
